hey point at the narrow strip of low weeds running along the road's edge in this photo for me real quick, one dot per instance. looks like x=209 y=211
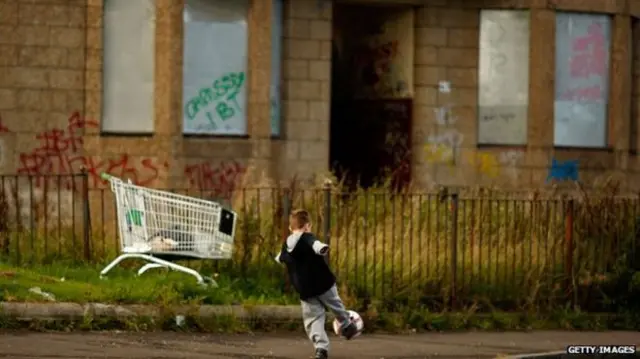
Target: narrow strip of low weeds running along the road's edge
x=407 y=322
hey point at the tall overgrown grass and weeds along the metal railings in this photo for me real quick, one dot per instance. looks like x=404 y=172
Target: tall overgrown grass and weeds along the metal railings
x=484 y=249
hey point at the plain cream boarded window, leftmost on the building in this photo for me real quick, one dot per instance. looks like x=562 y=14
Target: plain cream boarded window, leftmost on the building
x=128 y=66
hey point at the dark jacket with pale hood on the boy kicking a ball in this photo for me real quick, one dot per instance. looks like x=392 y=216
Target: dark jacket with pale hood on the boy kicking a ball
x=308 y=271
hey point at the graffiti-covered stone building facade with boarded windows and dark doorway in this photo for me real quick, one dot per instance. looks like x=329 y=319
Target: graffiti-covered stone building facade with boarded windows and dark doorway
x=215 y=94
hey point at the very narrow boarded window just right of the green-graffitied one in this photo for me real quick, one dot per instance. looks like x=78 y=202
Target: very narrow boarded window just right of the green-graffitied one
x=276 y=65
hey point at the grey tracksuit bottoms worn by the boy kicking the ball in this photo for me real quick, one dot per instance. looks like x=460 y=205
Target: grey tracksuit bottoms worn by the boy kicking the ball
x=313 y=315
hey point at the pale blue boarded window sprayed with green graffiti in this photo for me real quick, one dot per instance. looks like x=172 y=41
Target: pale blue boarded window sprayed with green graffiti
x=215 y=65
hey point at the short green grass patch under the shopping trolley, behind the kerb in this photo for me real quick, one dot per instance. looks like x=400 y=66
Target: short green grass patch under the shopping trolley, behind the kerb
x=81 y=284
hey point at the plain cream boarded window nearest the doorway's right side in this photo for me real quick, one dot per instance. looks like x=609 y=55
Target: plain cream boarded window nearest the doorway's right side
x=503 y=77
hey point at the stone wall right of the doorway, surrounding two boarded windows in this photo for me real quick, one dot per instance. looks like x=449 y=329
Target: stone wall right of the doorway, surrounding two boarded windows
x=447 y=50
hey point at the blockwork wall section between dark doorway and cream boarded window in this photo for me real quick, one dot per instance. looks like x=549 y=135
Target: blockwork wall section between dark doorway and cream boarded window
x=446 y=50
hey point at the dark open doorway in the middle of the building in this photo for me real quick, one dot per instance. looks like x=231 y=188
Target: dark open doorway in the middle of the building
x=370 y=106
